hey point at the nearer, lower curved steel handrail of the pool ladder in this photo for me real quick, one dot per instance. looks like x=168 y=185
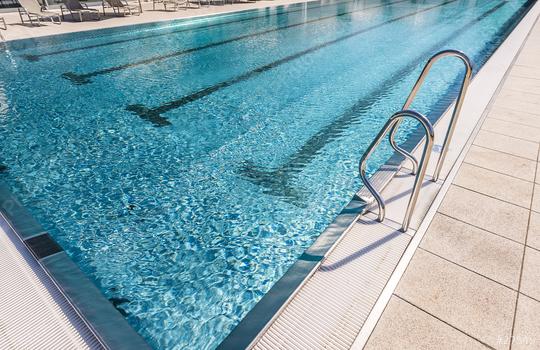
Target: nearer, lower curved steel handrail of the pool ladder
x=390 y=124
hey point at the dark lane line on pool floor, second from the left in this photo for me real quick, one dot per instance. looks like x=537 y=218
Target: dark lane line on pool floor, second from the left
x=80 y=79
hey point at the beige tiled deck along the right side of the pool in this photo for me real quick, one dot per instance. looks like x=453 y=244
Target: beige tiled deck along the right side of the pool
x=474 y=282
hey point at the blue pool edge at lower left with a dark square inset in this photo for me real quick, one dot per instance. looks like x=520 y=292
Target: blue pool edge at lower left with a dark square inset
x=103 y=320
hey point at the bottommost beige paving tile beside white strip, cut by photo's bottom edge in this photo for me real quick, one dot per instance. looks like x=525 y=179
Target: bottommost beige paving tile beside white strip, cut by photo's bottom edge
x=403 y=326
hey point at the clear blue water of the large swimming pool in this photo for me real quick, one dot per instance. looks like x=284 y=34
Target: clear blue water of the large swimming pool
x=186 y=165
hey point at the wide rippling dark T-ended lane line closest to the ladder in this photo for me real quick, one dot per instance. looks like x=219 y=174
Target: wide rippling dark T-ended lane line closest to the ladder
x=277 y=182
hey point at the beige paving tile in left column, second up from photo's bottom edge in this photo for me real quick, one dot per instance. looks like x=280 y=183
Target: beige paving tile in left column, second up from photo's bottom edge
x=469 y=302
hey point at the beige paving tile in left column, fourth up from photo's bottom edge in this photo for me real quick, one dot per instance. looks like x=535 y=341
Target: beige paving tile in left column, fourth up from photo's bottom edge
x=490 y=214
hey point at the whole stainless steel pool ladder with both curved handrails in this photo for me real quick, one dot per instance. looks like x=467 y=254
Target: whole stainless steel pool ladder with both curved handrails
x=391 y=126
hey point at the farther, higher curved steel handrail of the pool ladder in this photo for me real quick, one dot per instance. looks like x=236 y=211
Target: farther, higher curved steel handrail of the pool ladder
x=455 y=115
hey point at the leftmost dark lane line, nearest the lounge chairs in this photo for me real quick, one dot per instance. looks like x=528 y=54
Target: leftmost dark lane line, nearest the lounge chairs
x=37 y=57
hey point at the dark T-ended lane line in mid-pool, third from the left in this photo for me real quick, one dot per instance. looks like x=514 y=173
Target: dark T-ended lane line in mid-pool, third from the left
x=154 y=114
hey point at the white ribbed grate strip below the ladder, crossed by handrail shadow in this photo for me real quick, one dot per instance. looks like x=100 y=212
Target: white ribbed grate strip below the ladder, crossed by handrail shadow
x=332 y=306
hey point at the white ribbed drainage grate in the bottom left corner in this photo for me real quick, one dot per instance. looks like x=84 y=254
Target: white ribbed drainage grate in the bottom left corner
x=33 y=312
